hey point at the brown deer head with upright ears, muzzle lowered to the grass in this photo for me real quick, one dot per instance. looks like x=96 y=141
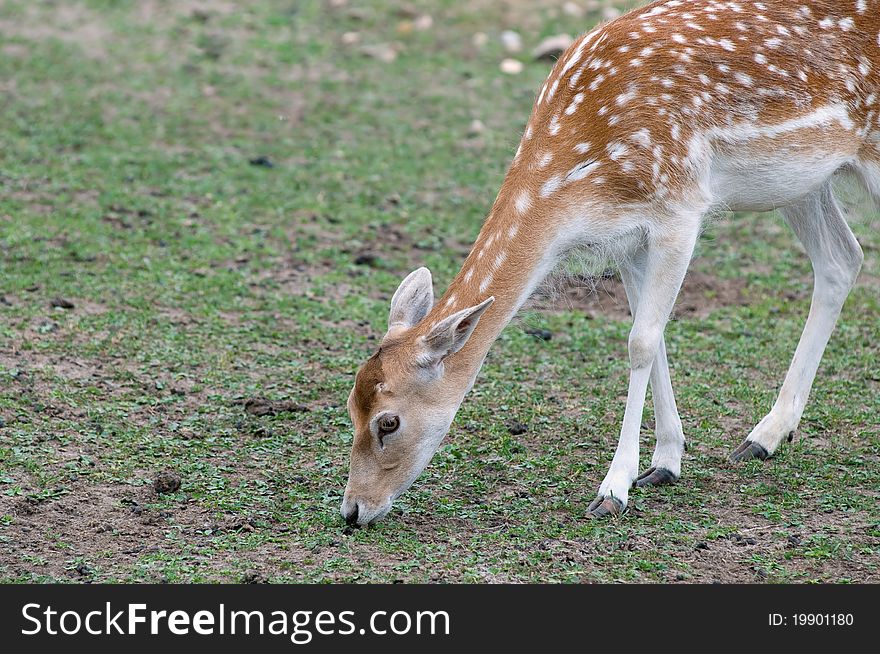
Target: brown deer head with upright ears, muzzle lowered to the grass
x=405 y=397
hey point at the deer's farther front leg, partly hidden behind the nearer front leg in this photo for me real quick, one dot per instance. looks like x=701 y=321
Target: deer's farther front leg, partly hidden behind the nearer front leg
x=666 y=462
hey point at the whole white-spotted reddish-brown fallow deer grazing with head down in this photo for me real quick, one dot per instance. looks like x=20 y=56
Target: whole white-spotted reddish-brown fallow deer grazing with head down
x=645 y=126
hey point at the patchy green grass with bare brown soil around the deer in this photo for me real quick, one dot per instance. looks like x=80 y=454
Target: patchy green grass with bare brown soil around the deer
x=199 y=279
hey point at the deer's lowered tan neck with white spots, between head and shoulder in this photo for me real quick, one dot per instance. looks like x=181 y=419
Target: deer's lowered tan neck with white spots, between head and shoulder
x=508 y=260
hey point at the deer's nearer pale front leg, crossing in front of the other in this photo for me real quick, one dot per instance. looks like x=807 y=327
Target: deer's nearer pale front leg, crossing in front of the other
x=667 y=258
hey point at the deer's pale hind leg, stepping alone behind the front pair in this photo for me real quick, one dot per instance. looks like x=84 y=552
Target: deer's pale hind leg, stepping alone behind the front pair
x=836 y=257
